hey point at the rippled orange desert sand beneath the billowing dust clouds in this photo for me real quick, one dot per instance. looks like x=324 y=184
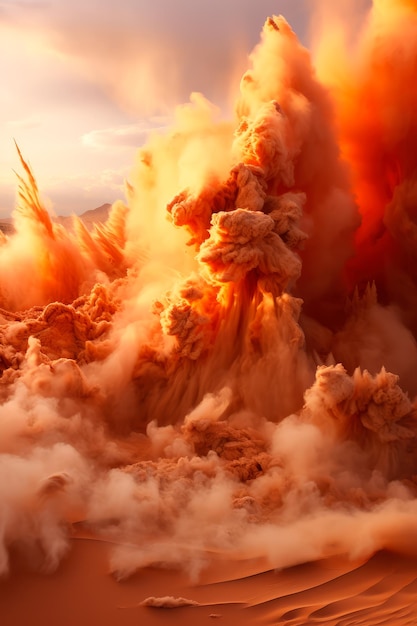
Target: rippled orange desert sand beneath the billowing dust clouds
x=336 y=592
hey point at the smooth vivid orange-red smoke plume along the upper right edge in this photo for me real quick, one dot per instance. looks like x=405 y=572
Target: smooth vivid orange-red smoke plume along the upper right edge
x=373 y=94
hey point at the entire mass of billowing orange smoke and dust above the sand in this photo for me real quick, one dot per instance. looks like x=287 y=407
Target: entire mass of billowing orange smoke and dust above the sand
x=228 y=363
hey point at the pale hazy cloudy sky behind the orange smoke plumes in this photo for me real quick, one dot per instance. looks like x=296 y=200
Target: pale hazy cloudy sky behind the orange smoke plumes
x=82 y=82
